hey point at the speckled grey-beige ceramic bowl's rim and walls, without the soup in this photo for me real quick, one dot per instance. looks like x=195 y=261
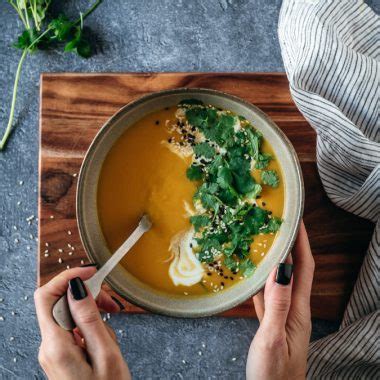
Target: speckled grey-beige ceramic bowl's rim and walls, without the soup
x=125 y=283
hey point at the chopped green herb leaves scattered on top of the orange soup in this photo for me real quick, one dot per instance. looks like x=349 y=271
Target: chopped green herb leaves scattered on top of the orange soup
x=227 y=191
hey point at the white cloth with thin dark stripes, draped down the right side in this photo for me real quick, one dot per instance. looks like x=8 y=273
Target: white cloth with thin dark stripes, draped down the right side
x=331 y=52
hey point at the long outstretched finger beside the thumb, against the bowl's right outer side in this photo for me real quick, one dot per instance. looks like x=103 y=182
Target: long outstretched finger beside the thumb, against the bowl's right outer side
x=303 y=272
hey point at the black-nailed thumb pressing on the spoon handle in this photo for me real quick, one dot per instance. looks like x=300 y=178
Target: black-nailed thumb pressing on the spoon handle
x=87 y=317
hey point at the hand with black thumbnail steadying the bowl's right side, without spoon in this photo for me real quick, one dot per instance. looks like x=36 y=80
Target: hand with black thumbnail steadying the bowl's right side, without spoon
x=279 y=348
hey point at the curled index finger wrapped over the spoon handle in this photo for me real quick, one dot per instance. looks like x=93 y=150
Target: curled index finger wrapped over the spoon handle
x=46 y=296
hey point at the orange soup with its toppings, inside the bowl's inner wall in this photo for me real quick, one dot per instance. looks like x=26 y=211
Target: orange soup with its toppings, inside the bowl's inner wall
x=147 y=171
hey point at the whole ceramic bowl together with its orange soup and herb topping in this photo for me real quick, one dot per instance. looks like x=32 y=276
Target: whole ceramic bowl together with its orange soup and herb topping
x=221 y=184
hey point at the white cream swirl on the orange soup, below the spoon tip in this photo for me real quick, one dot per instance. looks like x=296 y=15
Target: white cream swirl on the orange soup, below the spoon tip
x=185 y=268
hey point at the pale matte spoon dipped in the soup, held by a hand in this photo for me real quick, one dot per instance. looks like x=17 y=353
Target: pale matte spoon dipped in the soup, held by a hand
x=61 y=311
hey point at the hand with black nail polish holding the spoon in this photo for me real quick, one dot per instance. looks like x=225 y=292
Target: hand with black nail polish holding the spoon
x=91 y=350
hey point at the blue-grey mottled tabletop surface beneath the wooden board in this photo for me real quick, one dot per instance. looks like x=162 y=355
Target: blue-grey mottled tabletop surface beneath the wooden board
x=134 y=35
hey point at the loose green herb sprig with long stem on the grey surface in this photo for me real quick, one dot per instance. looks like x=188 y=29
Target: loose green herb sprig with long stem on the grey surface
x=41 y=33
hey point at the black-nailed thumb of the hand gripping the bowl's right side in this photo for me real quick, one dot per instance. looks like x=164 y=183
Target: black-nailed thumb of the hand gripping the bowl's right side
x=277 y=297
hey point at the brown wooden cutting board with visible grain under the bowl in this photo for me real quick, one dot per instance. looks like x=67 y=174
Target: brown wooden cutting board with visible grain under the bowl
x=75 y=106
